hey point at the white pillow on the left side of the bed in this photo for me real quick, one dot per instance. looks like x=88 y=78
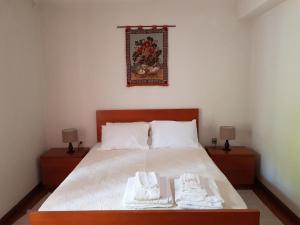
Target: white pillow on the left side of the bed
x=125 y=136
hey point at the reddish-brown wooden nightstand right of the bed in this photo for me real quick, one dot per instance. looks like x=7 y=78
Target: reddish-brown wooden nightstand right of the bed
x=238 y=165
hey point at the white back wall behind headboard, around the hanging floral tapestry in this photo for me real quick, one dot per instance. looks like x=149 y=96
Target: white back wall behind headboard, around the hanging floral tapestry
x=86 y=68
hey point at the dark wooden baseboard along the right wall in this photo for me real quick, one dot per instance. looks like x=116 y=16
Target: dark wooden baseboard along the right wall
x=279 y=204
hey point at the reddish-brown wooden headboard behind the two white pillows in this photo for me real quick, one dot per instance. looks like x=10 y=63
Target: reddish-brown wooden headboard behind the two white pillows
x=147 y=115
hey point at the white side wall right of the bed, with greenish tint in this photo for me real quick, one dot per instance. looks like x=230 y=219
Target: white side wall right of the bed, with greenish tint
x=276 y=96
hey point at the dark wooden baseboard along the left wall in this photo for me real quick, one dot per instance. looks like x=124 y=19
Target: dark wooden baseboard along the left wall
x=5 y=219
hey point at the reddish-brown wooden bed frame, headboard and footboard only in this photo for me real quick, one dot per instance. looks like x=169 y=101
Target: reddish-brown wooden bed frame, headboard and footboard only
x=146 y=217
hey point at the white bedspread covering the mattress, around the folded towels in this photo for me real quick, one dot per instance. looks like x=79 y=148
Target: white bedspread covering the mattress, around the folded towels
x=99 y=181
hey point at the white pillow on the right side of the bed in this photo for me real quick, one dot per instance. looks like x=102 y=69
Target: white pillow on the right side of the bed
x=173 y=134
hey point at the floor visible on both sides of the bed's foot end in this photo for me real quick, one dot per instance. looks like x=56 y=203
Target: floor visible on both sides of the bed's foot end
x=251 y=199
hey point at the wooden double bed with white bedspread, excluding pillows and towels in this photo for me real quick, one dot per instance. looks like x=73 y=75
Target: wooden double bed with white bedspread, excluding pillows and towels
x=92 y=193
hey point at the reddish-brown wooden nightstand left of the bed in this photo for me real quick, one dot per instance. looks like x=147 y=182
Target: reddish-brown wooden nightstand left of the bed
x=56 y=164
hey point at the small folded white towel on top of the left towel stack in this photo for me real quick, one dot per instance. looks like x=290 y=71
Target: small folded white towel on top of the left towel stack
x=147 y=186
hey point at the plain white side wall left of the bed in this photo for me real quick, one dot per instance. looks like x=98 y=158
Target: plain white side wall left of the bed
x=21 y=100
